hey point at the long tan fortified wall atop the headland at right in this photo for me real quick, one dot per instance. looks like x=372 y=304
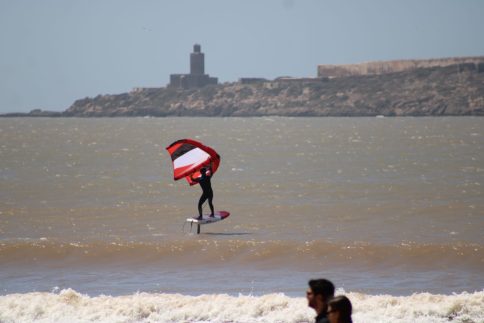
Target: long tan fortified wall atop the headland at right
x=378 y=68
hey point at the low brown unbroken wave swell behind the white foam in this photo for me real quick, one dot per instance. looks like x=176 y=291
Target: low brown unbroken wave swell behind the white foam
x=265 y=254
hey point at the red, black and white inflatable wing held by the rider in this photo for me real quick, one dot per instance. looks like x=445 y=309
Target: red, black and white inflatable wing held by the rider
x=189 y=156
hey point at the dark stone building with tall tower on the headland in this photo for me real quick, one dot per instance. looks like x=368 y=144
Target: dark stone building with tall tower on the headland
x=197 y=77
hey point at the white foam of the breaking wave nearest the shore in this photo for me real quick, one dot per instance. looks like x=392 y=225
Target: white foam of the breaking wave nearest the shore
x=70 y=306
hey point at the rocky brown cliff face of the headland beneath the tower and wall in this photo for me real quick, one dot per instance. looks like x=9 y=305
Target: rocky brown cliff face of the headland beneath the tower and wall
x=451 y=90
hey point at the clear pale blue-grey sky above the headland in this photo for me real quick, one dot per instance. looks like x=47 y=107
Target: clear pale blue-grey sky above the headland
x=54 y=52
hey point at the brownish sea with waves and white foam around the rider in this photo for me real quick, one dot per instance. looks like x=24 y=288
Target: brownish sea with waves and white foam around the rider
x=92 y=224
